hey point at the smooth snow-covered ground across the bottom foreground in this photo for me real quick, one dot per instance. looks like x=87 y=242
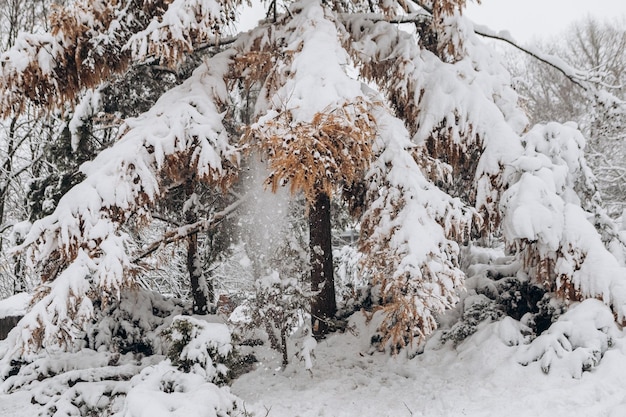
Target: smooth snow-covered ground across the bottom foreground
x=480 y=377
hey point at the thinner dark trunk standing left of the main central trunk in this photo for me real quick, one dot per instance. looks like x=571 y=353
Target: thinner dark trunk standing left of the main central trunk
x=200 y=304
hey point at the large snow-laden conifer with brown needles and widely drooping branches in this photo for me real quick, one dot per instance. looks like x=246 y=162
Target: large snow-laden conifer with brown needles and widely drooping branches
x=420 y=132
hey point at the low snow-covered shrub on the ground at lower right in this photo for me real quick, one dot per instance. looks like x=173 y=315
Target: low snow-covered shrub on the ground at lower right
x=576 y=342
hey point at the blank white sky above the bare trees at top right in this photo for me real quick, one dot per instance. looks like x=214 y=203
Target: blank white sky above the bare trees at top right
x=526 y=19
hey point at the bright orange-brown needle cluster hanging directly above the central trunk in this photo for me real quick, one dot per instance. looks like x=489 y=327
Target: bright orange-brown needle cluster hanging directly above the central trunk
x=332 y=149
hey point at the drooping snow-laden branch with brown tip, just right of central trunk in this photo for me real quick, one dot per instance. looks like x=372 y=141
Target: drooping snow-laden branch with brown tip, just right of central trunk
x=418 y=277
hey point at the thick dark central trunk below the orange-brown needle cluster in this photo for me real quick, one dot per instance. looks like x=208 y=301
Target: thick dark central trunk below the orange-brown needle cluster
x=323 y=304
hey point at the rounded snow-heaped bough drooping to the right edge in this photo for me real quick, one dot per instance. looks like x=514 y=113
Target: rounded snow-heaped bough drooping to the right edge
x=544 y=222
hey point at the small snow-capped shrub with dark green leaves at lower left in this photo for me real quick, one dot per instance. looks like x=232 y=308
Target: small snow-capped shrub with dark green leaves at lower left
x=200 y=347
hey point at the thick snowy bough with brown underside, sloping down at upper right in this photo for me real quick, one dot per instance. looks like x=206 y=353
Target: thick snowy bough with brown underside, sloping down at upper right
x=472 y=120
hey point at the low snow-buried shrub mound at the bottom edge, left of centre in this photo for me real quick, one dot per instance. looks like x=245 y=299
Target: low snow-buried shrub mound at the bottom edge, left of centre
x=163 y=390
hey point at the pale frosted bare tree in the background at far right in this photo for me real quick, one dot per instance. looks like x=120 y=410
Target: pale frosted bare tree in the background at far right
x=599 y=47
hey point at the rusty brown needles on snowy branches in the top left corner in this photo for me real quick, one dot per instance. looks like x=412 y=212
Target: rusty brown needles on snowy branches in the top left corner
x=85 y=54
